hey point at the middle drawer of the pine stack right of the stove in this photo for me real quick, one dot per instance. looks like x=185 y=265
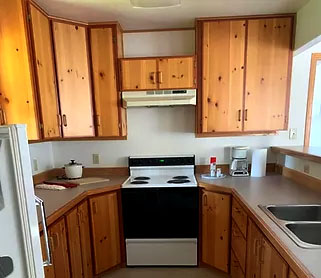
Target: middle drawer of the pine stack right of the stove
x=238 y=245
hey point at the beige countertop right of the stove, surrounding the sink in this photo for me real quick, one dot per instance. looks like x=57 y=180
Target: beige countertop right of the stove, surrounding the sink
x=274 y=189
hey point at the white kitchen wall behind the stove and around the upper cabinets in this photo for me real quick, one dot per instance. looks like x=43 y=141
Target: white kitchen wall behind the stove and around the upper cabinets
x=171 y=130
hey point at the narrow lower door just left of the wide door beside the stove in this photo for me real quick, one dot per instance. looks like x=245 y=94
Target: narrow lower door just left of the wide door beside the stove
x=85 y=240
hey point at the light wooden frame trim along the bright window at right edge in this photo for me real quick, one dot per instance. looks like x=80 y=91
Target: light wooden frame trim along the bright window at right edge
x=308 y=120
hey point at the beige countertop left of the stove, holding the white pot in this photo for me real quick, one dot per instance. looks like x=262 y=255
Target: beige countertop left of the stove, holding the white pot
x=58 y=202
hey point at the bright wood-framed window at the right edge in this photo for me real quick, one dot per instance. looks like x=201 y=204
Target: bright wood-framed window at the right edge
x=313 y=119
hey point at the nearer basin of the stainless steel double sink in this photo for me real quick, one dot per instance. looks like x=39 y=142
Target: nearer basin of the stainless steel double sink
x=307 y=232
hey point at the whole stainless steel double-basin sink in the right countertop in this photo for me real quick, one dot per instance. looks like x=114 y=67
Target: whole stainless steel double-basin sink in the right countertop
x=302 y=223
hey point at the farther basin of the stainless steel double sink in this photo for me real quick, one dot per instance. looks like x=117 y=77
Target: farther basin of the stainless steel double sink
x=296 y=212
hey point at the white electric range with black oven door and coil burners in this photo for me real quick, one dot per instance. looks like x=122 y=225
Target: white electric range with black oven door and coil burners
x=160 y=203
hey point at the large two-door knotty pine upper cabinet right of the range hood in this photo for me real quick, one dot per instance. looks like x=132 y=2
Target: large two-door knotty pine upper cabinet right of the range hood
x=245 y=74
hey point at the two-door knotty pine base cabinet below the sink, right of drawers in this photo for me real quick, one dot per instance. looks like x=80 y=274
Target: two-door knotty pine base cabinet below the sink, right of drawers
x=263 y=261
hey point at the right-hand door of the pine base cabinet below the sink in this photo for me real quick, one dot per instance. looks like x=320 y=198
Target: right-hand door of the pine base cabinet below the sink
x=273 y=264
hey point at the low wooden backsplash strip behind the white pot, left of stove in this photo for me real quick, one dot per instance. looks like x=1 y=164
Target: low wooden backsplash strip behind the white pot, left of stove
x=87 y=172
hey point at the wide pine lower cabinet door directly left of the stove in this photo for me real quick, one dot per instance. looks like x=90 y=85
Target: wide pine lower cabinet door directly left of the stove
x=105 y=231
